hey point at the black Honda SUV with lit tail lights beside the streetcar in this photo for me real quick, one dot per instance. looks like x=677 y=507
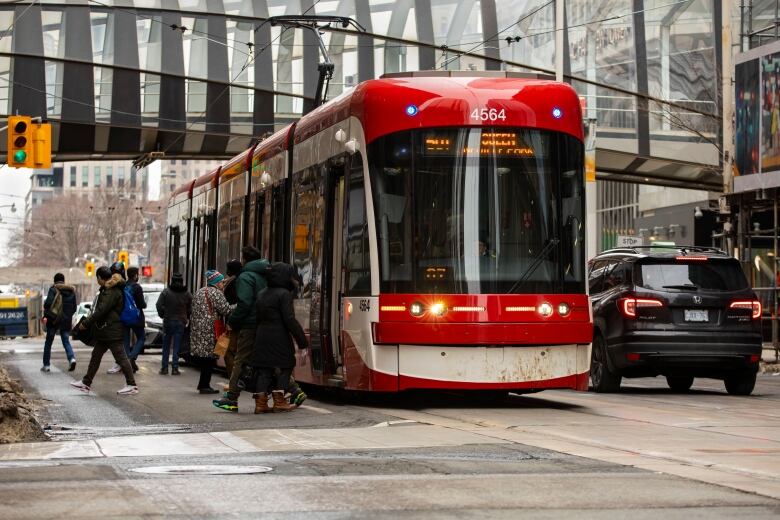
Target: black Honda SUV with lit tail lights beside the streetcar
x=680 y=312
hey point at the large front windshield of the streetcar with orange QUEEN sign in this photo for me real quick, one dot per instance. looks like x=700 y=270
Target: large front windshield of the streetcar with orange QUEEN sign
x=479 y=210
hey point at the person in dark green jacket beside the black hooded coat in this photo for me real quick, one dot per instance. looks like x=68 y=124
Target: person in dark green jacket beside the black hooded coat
x=242 y=320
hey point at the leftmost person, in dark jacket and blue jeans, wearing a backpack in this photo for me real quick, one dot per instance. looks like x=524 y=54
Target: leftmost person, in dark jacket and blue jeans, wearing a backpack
x=58 y=310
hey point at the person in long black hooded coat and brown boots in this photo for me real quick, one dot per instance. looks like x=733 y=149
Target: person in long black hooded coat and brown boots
x=273 y=358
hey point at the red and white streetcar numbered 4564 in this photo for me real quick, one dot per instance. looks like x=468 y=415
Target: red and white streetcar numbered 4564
x=437 y=223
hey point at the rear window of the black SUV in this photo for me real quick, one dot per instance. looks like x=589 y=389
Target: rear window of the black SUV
x=708 y=276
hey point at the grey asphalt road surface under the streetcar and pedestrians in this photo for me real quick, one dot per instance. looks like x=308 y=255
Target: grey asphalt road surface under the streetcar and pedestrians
x=643 y=453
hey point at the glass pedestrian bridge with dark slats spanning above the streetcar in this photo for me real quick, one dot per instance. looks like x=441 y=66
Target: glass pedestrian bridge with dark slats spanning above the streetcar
x=203 y=78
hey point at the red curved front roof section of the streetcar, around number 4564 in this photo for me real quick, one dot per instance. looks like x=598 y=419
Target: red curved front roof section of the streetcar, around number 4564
x=396 y=103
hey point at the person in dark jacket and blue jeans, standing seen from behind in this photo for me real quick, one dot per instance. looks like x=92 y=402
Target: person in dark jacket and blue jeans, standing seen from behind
x=173 y=306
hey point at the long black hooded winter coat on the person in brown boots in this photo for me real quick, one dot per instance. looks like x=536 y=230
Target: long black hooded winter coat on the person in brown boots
x=276 y=322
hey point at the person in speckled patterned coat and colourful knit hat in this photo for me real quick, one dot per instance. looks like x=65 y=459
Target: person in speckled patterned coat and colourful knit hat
x=209 y=309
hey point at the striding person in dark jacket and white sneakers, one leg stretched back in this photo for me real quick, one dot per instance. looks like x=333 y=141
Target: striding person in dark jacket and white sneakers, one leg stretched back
x=107 y=331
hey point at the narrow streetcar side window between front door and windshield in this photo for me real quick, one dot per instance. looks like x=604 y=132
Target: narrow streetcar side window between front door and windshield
x=357 y=264
